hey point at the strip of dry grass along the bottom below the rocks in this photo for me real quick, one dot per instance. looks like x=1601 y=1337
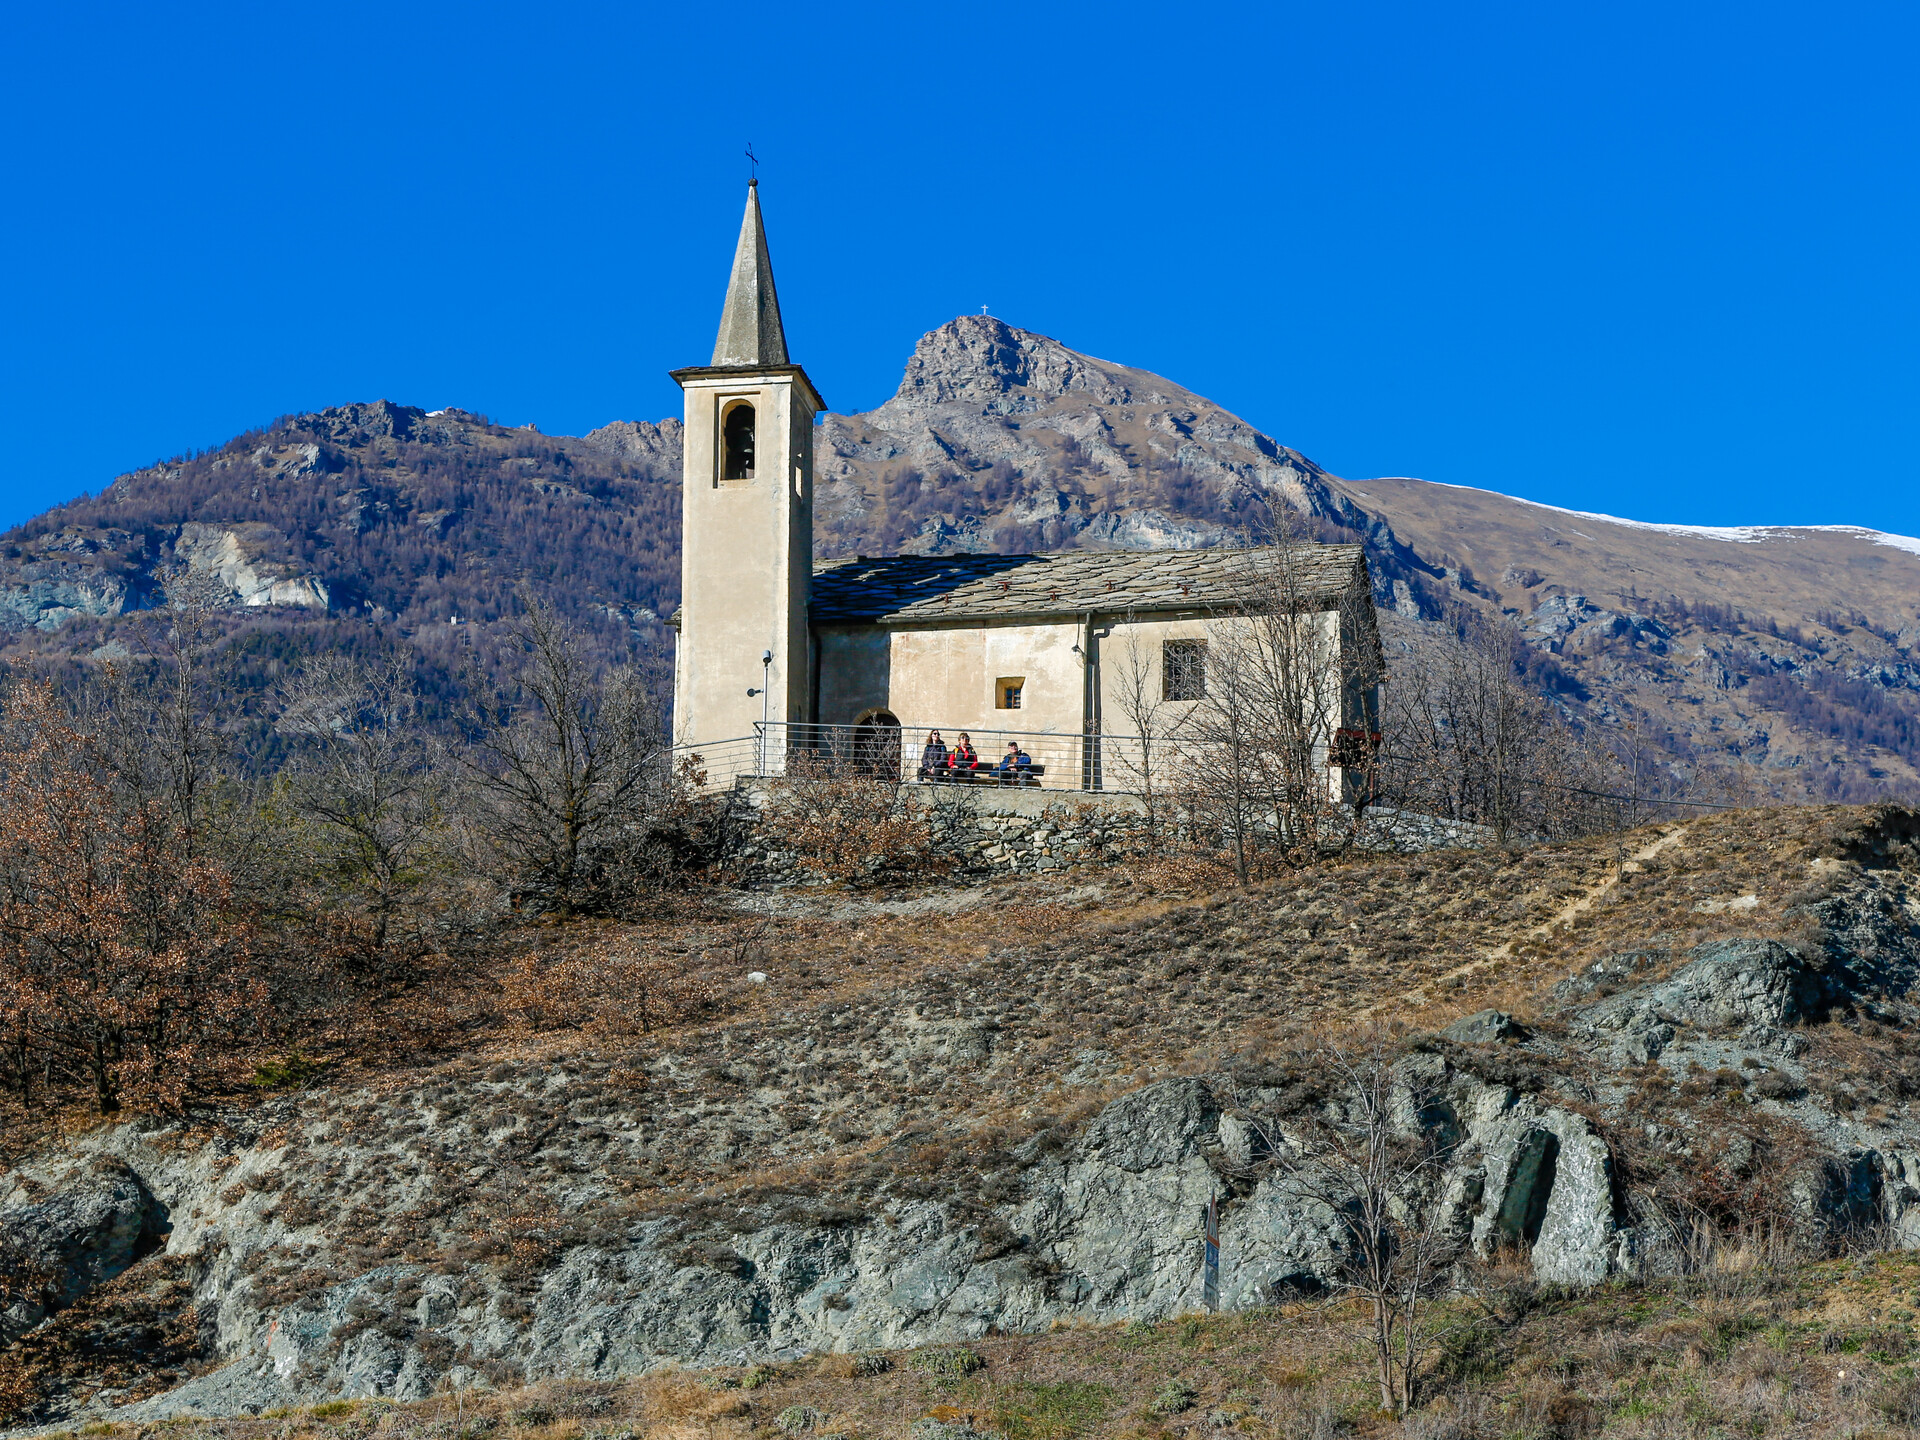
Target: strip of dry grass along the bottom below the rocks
x=1815 y=1351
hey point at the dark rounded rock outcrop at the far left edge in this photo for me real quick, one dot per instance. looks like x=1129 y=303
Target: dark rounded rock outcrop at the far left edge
x=62 y=1247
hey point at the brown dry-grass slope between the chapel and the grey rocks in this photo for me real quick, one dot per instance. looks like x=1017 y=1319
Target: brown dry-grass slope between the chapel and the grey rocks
x=834 y=1076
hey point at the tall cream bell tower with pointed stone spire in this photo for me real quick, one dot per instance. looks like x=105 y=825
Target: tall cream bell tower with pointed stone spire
x=748 y=516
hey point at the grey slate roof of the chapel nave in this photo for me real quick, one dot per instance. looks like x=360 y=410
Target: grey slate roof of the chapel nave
x=932 y=588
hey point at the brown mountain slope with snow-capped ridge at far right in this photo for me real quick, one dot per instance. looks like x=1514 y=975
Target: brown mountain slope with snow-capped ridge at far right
x=1788 y=646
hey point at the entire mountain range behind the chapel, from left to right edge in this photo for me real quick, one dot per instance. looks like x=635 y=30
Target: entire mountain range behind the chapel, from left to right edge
x=1790 y=650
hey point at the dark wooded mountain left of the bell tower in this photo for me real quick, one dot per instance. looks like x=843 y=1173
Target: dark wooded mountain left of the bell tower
x=377 y=512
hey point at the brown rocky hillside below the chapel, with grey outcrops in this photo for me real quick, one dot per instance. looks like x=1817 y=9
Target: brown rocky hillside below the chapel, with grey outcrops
x=949 y=1116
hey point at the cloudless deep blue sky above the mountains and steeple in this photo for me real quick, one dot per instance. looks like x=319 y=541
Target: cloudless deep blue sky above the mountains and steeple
x=1631 y=258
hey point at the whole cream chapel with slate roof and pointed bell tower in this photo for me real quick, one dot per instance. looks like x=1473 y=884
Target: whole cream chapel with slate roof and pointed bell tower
x=1044 y=654
